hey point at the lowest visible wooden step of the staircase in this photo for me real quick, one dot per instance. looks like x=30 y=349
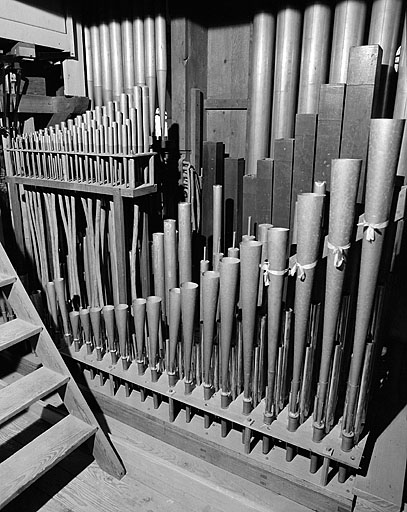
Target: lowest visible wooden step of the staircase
x=33 y=460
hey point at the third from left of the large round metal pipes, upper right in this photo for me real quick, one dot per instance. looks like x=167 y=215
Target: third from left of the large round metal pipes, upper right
x=314 y=54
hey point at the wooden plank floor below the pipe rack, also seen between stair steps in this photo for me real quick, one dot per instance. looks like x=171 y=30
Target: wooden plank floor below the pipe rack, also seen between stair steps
x=159 y=477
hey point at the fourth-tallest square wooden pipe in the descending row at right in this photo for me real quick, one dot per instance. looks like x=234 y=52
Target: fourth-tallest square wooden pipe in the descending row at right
x=283 y=170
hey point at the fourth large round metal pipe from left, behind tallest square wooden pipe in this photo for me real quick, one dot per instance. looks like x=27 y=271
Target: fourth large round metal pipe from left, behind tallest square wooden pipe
x=349 y=29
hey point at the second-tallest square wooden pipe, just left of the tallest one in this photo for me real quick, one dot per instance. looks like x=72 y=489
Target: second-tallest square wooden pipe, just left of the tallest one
x=330 y=111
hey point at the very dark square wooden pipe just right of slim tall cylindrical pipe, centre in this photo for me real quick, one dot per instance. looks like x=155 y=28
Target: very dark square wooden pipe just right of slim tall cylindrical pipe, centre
x=233 y=199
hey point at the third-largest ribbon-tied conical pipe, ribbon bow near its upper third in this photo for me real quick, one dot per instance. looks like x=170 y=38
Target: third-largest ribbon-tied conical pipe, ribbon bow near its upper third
x=309 y=217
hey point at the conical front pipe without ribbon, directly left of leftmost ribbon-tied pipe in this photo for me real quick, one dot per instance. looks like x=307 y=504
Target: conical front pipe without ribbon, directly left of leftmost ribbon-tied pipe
x=250 y=254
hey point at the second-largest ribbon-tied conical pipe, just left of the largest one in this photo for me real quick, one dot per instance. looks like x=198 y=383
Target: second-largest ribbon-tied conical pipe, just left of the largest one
x=345 y=175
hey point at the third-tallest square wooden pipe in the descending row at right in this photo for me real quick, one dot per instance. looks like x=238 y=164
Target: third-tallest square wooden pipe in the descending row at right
x=304 y=152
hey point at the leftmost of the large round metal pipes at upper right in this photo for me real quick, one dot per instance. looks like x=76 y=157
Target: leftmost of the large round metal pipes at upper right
x=260 y=88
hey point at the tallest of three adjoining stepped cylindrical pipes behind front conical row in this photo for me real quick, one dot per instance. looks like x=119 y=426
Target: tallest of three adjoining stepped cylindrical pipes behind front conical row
x=184 y=242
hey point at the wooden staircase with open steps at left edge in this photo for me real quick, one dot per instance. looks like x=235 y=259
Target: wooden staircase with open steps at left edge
x=33 y=460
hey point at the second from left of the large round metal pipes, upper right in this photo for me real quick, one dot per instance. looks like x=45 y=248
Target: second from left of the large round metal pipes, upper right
x=286 y=72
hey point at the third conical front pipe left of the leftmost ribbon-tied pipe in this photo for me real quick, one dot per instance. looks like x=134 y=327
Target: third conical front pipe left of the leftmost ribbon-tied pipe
x=210 y=292
